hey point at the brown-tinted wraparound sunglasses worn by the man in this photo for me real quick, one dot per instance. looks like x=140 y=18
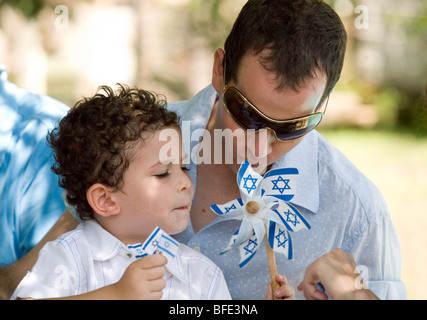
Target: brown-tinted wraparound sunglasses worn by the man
x=246 y=115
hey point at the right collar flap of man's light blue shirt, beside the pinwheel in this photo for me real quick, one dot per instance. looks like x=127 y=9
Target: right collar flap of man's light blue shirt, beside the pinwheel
x=304 y=157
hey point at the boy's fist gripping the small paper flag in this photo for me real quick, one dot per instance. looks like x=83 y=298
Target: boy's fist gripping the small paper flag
x=143 y=279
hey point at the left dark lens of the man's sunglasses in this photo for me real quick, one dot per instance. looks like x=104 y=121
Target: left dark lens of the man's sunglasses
x=241 y=111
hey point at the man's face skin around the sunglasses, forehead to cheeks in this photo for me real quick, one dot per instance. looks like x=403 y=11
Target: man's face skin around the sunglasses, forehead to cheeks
x=260 y=87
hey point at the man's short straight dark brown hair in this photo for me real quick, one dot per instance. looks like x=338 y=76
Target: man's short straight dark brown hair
x=302 y=37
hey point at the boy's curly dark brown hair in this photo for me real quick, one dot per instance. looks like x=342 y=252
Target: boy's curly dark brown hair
x=93 y=142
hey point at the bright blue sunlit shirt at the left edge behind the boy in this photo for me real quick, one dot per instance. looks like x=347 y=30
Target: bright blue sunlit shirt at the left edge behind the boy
x=30 y=199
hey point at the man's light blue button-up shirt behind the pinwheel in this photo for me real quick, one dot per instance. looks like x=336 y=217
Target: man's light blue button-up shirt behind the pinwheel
x=345 y=210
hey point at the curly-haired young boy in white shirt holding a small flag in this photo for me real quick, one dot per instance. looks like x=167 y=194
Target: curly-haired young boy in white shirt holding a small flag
x=107 y=152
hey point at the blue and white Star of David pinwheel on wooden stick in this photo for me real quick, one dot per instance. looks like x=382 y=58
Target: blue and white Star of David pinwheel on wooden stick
x=265 y=213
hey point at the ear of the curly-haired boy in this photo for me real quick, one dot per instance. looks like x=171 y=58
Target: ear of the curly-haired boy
x=102 y=201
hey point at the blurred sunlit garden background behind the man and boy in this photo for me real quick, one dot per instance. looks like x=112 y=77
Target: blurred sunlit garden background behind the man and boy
x=377 y=114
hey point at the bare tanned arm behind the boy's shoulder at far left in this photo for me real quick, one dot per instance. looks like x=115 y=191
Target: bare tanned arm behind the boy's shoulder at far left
x=11 y=275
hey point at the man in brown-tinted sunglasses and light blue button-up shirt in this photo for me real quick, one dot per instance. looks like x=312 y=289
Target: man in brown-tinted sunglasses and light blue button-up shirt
x=281 y=61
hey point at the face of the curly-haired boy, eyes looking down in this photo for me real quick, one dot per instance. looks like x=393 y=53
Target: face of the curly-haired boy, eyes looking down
x=153 y=193
